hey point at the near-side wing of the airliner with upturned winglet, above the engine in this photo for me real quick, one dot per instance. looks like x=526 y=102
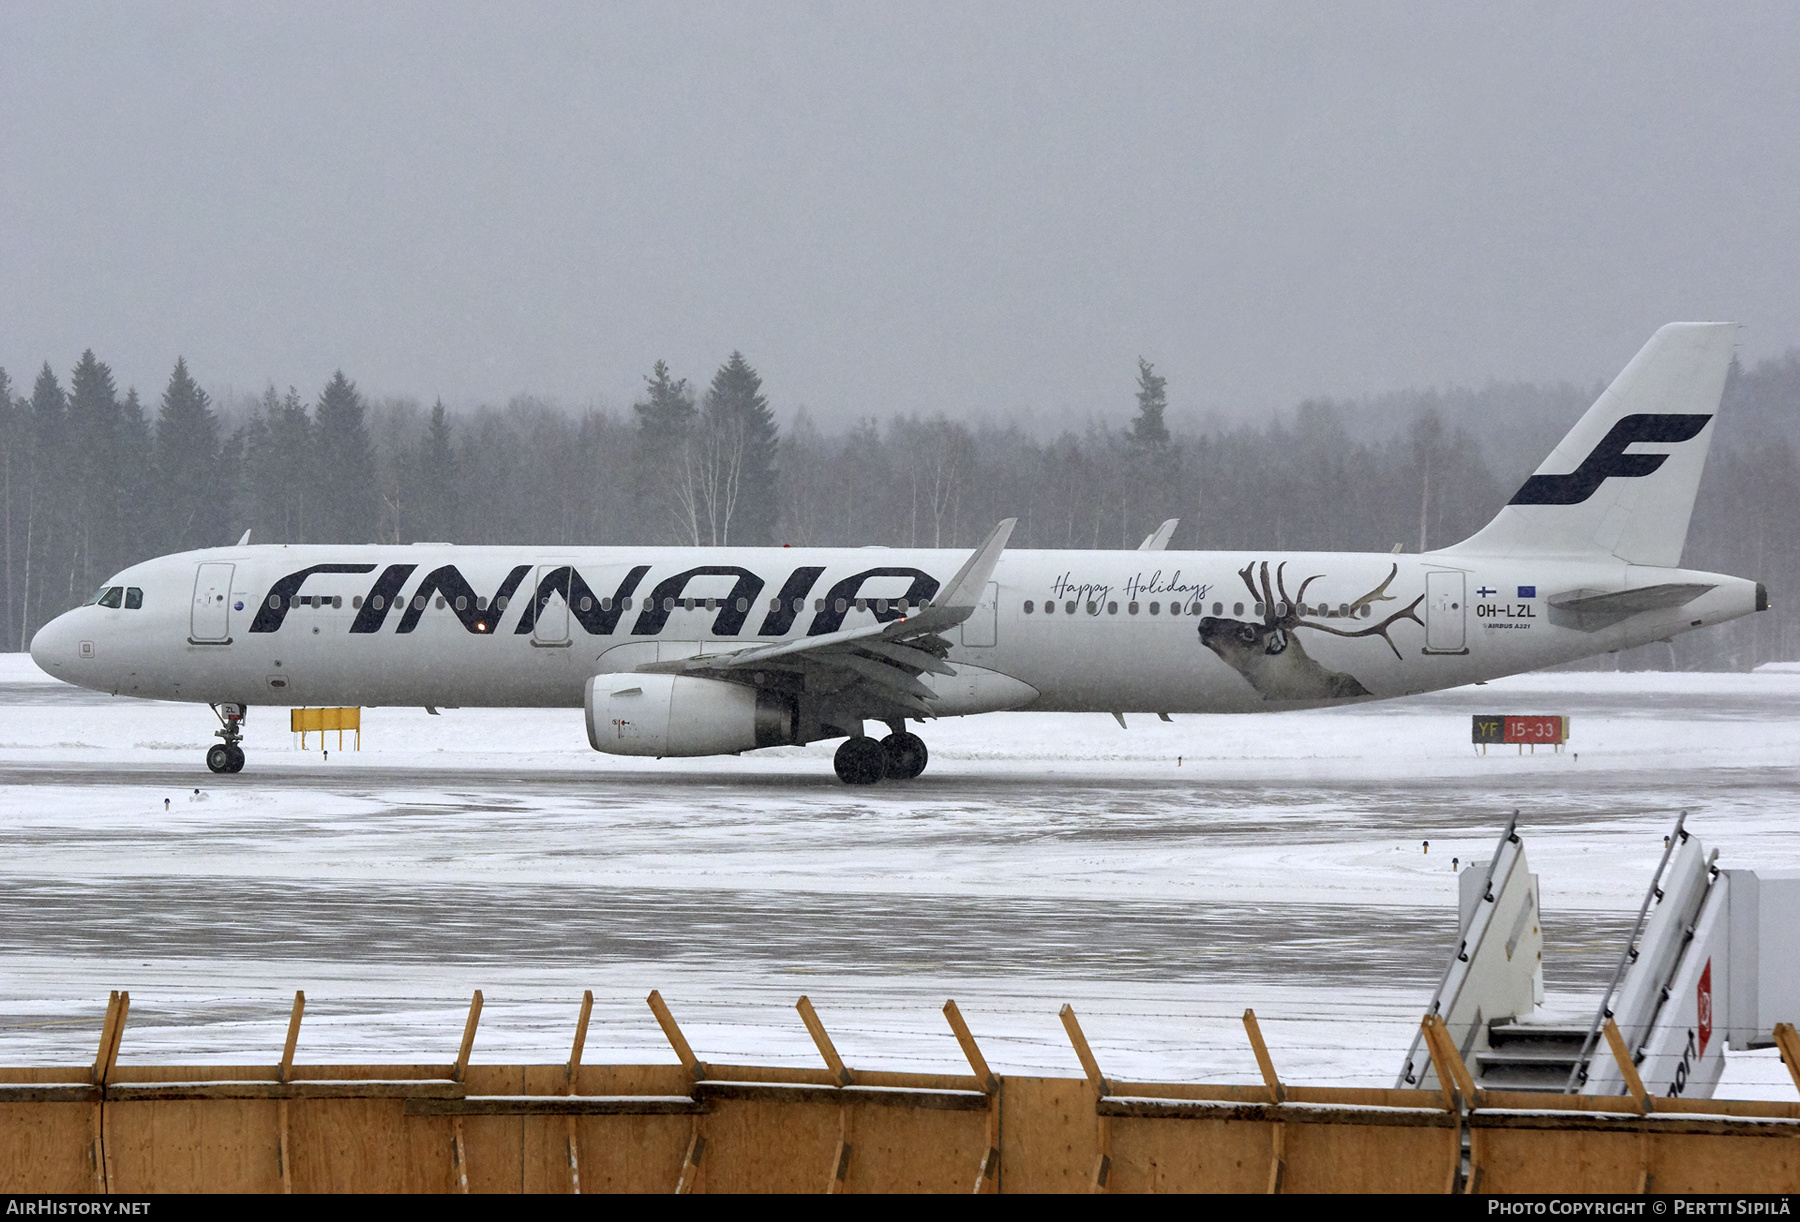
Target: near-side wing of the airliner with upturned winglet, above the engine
x=876 y=669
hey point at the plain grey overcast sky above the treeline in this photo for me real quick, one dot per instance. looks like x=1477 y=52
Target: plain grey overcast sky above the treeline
x=962 y=208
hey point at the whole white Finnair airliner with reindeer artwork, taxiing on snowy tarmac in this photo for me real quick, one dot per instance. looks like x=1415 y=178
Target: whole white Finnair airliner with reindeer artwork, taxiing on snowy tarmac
x=699 y=652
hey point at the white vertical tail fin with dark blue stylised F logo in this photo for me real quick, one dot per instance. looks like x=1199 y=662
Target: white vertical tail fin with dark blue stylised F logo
x=1626 y=476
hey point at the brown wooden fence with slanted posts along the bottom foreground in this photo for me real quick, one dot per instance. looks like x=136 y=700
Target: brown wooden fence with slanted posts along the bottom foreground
x=712 y=1128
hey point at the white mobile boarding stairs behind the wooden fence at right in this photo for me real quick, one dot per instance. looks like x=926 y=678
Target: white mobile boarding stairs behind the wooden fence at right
x=1709 y=966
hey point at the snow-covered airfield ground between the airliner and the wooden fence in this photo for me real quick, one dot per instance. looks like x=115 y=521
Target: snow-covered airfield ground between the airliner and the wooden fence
x=1160 y=877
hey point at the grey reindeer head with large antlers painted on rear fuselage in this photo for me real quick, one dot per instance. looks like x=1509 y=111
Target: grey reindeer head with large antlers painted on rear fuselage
x=1273 y=660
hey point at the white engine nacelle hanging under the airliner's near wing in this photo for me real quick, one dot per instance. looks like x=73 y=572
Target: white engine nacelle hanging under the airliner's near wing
x=678 y=715
